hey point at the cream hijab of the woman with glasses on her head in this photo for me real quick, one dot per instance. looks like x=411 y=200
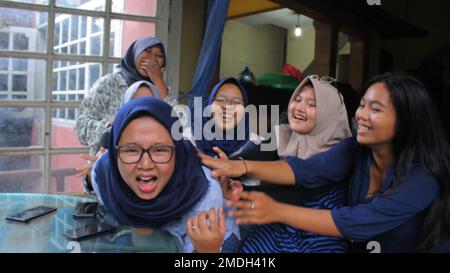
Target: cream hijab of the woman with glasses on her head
x=330 y=128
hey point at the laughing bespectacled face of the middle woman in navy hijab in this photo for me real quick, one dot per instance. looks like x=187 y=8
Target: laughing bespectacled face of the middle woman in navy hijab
x=228 y=107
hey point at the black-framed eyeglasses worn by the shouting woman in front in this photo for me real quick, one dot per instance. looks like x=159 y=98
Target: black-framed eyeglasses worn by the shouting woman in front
x=130 y=154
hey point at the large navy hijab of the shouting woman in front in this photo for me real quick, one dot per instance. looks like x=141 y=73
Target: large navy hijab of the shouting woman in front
x=184 y=190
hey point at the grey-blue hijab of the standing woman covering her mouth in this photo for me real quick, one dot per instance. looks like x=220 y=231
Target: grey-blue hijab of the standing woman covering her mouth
x=128 y=64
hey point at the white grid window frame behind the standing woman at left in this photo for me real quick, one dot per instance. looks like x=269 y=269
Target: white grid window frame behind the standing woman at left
x=161 y=21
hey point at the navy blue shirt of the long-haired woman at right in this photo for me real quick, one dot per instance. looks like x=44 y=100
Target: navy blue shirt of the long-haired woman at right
x=393 y=218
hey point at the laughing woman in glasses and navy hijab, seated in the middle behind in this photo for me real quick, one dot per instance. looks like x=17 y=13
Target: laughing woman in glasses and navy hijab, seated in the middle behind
x=227 y=131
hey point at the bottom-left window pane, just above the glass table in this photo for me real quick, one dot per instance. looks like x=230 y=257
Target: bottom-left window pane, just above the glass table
x=21 y=173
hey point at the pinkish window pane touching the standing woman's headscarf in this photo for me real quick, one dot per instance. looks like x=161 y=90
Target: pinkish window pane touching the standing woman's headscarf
x=120 y=44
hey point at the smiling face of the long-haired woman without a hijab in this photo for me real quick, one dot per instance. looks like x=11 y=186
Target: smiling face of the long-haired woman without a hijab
x=376 y=117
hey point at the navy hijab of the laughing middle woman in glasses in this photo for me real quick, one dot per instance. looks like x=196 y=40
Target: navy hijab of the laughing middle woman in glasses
x=227 y=146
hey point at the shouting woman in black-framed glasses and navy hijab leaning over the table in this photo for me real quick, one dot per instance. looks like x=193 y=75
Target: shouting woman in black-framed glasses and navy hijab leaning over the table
x=148 y=180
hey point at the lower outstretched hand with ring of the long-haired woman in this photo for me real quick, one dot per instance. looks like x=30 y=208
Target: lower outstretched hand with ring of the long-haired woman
x=254 y=208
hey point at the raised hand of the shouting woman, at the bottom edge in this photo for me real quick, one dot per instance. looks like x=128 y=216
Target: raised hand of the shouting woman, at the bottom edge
x=207 y=238
